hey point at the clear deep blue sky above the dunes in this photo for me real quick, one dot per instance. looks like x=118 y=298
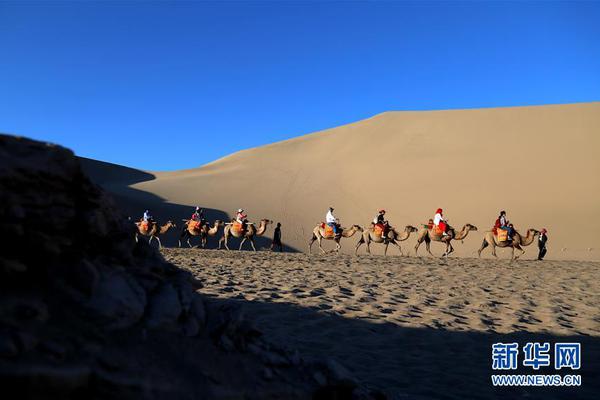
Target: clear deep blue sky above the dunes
x=162 y=85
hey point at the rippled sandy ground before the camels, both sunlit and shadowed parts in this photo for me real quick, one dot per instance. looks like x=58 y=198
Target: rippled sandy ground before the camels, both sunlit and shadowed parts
x=411 y=327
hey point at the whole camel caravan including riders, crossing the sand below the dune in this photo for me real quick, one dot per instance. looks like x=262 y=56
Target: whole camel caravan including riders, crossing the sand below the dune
x=502 y=234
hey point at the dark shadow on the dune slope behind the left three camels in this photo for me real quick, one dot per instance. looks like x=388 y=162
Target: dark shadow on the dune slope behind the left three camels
x=117 y=181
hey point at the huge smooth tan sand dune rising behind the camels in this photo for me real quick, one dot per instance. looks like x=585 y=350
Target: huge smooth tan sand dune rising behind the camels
x=540 y=164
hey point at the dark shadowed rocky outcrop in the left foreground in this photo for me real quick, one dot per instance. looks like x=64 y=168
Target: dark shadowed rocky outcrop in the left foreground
x=87 y=312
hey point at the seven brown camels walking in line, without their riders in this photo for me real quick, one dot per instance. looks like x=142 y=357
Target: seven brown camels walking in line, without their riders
x=425 y=234
